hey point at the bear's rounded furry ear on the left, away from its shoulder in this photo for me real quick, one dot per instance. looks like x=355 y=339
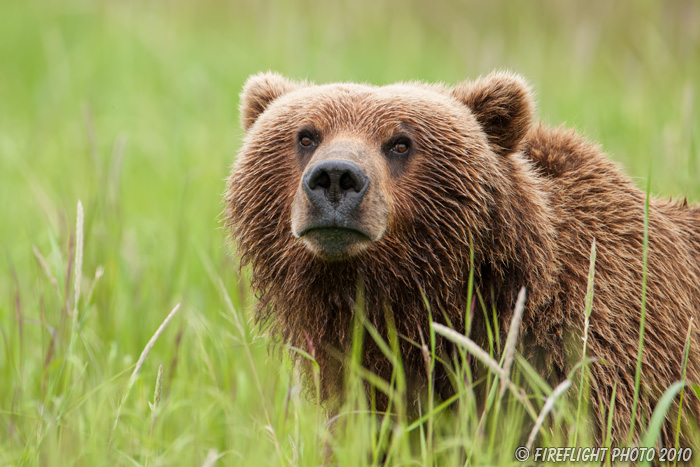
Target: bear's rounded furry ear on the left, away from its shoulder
x=259 y=92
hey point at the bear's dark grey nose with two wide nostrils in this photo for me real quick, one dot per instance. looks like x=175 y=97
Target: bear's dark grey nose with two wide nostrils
x=336 y=182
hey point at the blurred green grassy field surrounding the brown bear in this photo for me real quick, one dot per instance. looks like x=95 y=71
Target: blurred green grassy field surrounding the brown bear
x=131 y=108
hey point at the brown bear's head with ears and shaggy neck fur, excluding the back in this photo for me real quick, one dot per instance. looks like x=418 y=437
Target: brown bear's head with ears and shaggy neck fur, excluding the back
x=407 y=188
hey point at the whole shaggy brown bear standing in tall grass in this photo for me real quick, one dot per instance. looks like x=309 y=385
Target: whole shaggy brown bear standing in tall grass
x=407 y=188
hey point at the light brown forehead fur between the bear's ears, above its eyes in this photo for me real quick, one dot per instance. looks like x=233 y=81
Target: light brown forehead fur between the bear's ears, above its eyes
x=381 y=108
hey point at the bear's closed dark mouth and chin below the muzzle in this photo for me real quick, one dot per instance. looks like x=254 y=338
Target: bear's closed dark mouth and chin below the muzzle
x=335 y=243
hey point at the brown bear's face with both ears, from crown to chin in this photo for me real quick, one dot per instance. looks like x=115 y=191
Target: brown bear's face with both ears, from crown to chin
x=358 y=155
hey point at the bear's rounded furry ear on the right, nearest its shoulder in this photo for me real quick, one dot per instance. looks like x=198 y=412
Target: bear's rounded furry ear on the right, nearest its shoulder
x=502 y=104
